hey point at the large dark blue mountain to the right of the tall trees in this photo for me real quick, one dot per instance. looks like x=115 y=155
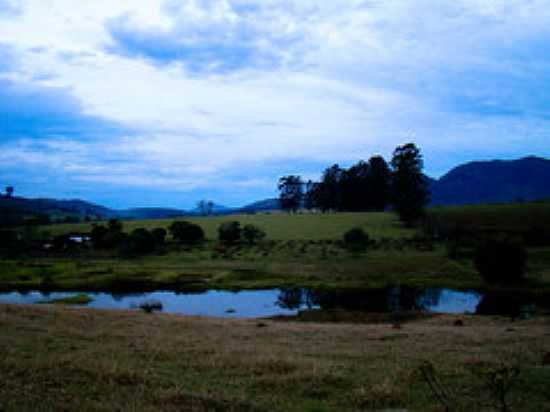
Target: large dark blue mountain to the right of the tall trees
x=496 y=181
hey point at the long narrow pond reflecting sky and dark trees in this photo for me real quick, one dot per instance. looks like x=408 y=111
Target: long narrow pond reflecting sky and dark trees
x=287 y=302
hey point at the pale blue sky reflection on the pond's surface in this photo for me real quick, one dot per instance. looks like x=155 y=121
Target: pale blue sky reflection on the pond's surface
x=255 y=304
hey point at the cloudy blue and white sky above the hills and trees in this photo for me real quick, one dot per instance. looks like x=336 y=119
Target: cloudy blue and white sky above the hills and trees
x=133 y=103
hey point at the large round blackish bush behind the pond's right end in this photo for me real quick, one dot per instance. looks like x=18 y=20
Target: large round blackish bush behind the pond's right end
x=501 y=261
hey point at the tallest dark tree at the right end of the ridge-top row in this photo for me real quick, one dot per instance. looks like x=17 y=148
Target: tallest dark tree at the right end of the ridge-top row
x=410 y=191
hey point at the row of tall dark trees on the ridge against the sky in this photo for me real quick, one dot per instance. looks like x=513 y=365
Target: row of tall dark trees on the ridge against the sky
x=373 y=185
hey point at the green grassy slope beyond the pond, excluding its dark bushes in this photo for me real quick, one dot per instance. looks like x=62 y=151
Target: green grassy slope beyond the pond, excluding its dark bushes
x=301 y=250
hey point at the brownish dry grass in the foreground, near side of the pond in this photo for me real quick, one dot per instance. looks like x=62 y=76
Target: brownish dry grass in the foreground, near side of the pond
x=56 y=358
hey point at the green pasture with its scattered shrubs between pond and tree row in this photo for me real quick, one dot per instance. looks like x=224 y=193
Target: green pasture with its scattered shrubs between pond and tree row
x=277 y=250
